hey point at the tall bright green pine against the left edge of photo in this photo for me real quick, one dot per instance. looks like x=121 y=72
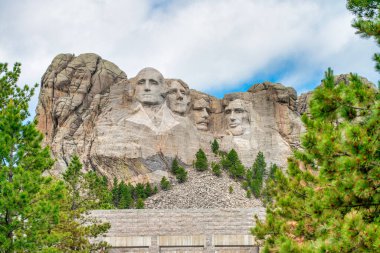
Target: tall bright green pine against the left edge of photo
x=29 y=201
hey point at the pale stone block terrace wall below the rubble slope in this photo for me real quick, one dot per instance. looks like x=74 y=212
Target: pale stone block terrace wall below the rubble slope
x=183 y=230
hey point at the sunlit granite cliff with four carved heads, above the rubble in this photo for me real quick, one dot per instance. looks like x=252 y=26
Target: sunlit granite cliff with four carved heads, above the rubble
x=131 y=128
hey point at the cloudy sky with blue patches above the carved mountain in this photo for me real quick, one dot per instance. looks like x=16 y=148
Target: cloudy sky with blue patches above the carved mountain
x=216 y=46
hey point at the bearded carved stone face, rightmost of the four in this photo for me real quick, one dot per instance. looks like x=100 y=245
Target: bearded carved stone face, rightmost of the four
x=237 y=118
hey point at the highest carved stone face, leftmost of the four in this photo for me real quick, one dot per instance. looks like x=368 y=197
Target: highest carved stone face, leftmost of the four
x=150 y=87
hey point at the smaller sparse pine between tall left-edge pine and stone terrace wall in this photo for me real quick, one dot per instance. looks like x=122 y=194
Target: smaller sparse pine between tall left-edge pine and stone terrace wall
x=85 y=191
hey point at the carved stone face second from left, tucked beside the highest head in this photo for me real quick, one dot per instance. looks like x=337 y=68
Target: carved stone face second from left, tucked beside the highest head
x=178 y=99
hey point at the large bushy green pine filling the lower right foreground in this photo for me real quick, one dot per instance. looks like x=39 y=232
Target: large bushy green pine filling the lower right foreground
x=330 y=199
